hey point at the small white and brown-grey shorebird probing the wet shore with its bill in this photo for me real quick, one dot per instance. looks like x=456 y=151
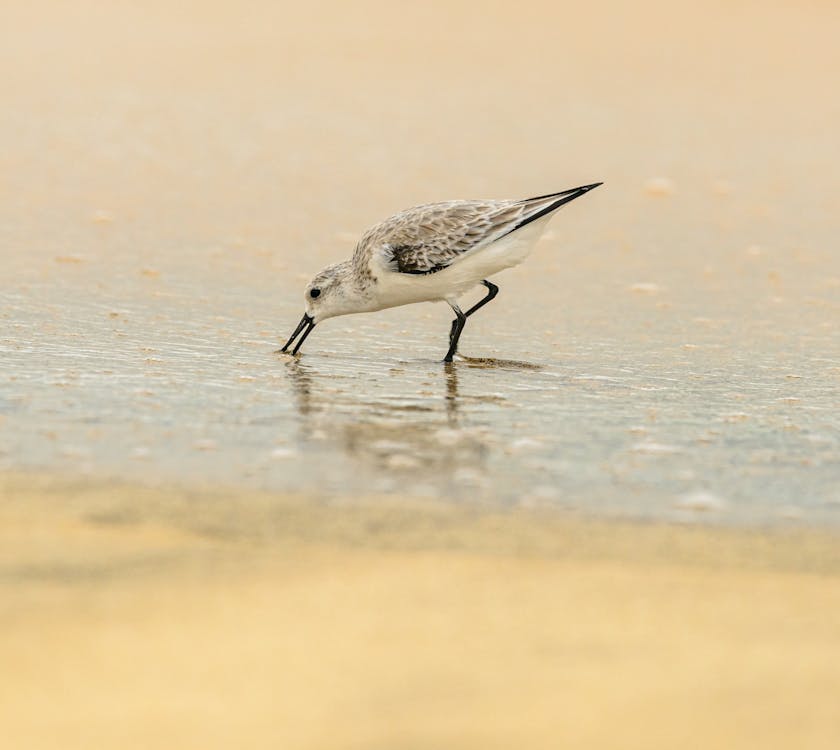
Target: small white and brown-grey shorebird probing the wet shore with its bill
x=431 y=253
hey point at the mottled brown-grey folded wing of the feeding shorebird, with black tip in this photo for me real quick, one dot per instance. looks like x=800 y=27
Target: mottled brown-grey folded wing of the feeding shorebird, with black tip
x=429 y=238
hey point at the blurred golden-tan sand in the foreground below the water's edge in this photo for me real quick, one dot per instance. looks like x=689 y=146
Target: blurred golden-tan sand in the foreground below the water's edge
x=228 y=620
